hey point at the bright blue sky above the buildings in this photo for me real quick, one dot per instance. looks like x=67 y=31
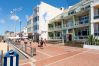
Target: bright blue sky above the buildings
x=26 y=6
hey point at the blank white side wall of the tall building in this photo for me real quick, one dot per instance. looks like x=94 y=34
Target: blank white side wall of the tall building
x=49 y=12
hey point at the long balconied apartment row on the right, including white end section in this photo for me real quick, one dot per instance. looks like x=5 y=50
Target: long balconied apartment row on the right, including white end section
x=76 y=23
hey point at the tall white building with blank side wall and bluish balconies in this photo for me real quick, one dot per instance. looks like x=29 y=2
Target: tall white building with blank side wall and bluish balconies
x=42 y=13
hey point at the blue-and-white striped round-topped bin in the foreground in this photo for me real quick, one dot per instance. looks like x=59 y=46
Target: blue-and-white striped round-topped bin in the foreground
x=11 y=58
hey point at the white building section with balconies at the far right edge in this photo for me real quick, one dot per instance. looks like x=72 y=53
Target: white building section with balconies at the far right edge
x=95 y=18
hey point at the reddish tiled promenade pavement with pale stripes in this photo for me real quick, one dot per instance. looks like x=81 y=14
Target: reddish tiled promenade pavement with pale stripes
x=58 y=55
